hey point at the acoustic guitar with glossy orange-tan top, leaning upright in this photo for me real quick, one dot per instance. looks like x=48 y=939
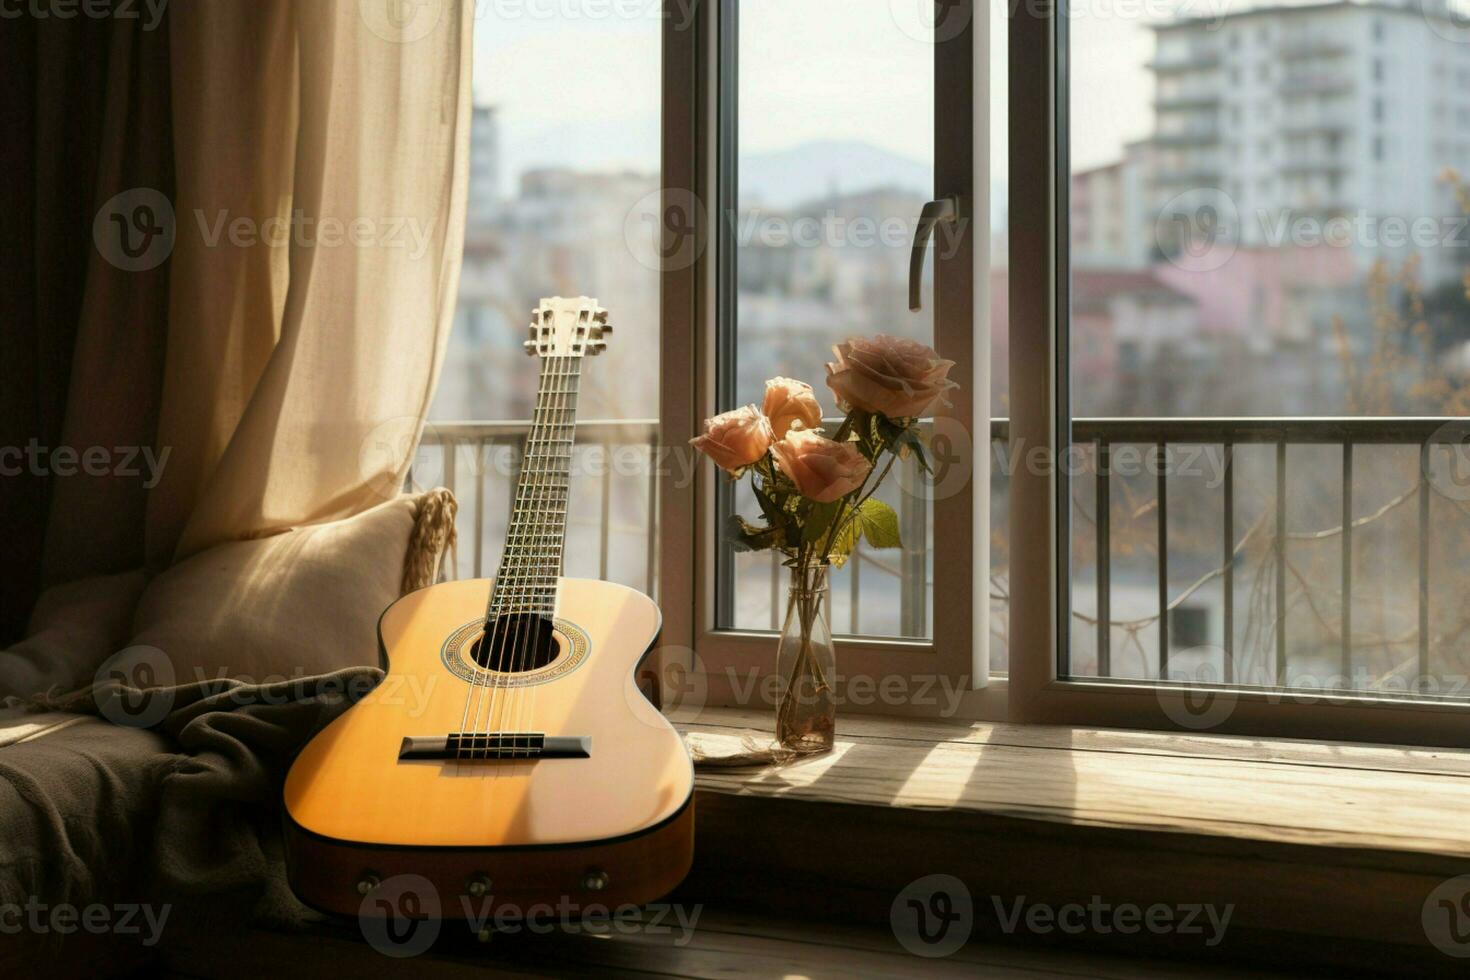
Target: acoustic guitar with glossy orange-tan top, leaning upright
x=508 y=759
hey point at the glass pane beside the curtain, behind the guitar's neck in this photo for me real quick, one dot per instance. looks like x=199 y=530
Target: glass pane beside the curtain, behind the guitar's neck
x=561 y=158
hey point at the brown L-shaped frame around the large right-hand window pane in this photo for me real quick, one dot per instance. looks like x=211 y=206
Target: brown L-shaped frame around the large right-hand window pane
x=1040 y=577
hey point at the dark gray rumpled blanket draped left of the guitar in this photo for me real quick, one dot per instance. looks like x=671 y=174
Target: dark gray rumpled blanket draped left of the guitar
x=151 y=800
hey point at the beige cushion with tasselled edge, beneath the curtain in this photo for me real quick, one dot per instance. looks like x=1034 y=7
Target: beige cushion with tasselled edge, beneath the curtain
x=289 y=606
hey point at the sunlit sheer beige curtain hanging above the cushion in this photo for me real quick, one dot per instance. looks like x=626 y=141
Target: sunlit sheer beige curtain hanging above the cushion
x=321 y=156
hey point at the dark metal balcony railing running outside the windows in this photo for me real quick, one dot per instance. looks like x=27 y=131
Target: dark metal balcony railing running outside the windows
x=617 y=515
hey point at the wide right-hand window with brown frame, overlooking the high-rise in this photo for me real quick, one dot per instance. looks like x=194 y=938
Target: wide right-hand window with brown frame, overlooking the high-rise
x=1216 y=541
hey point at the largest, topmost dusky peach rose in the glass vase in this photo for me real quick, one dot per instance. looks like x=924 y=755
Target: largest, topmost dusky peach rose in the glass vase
x=889 y=377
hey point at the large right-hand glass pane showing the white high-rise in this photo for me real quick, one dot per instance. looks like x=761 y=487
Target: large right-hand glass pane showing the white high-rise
x=1269 y=299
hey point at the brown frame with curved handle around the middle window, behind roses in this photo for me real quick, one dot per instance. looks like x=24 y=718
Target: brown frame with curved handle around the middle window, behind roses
x=698 y=61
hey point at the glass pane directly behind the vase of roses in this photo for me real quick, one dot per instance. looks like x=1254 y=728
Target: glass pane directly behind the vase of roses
x=836 y=161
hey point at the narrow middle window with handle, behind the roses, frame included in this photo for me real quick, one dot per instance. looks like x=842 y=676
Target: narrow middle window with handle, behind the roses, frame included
x=818 y=149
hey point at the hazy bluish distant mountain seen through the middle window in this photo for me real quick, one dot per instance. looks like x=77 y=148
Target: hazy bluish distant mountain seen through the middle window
x=818 y=170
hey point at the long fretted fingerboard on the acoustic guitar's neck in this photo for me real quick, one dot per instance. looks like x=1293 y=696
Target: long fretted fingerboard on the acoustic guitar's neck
x=531 y=562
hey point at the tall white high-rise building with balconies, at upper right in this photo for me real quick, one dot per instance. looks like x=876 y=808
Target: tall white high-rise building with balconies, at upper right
x=1306 y=114
